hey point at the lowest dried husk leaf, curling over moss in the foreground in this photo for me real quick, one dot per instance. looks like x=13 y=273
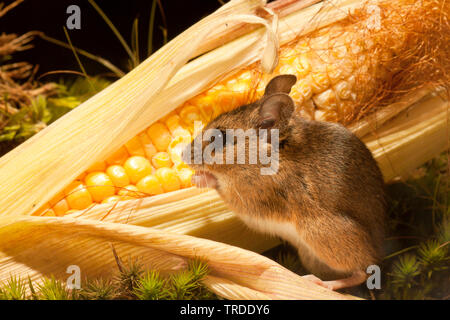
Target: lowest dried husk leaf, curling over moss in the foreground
x=44 y=244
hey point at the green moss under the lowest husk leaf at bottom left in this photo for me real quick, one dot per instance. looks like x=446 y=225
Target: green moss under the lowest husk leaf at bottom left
x=132 y=281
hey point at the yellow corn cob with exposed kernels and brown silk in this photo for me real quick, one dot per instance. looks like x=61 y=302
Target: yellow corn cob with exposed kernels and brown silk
x=343 y=72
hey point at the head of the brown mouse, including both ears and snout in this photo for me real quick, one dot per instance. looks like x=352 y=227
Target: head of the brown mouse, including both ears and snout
x=229 y=146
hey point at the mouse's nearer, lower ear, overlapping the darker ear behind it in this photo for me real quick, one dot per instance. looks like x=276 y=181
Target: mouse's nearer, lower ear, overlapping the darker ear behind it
x=275 y=111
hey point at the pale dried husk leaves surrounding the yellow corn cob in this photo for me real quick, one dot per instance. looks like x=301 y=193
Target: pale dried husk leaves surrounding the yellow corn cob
x=168 y=229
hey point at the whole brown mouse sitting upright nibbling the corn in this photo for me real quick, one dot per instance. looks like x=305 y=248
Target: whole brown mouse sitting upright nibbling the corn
x=326 y=195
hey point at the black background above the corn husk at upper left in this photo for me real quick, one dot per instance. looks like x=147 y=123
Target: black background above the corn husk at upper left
x=49 y=16
